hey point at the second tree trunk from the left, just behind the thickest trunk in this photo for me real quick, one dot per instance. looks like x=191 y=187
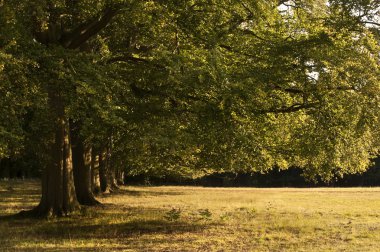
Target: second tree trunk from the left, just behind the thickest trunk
x=82 y=169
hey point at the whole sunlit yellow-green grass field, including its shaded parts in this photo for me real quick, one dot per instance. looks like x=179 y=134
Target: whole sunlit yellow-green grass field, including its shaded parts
x=199 y=219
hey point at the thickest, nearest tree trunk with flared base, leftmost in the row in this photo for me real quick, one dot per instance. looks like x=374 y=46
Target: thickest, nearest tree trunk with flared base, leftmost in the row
x=58 y=192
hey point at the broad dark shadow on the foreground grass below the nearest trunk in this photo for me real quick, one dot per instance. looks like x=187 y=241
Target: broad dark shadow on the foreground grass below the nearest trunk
x=97 y=224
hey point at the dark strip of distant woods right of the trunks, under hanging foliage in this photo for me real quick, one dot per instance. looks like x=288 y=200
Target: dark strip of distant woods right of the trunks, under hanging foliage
x=292 y=177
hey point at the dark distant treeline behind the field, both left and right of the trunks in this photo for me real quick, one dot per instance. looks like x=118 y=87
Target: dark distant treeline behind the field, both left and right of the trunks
x=18 y=169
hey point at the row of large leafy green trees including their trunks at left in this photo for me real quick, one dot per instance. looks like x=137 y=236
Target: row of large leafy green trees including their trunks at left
x=186 y=87
